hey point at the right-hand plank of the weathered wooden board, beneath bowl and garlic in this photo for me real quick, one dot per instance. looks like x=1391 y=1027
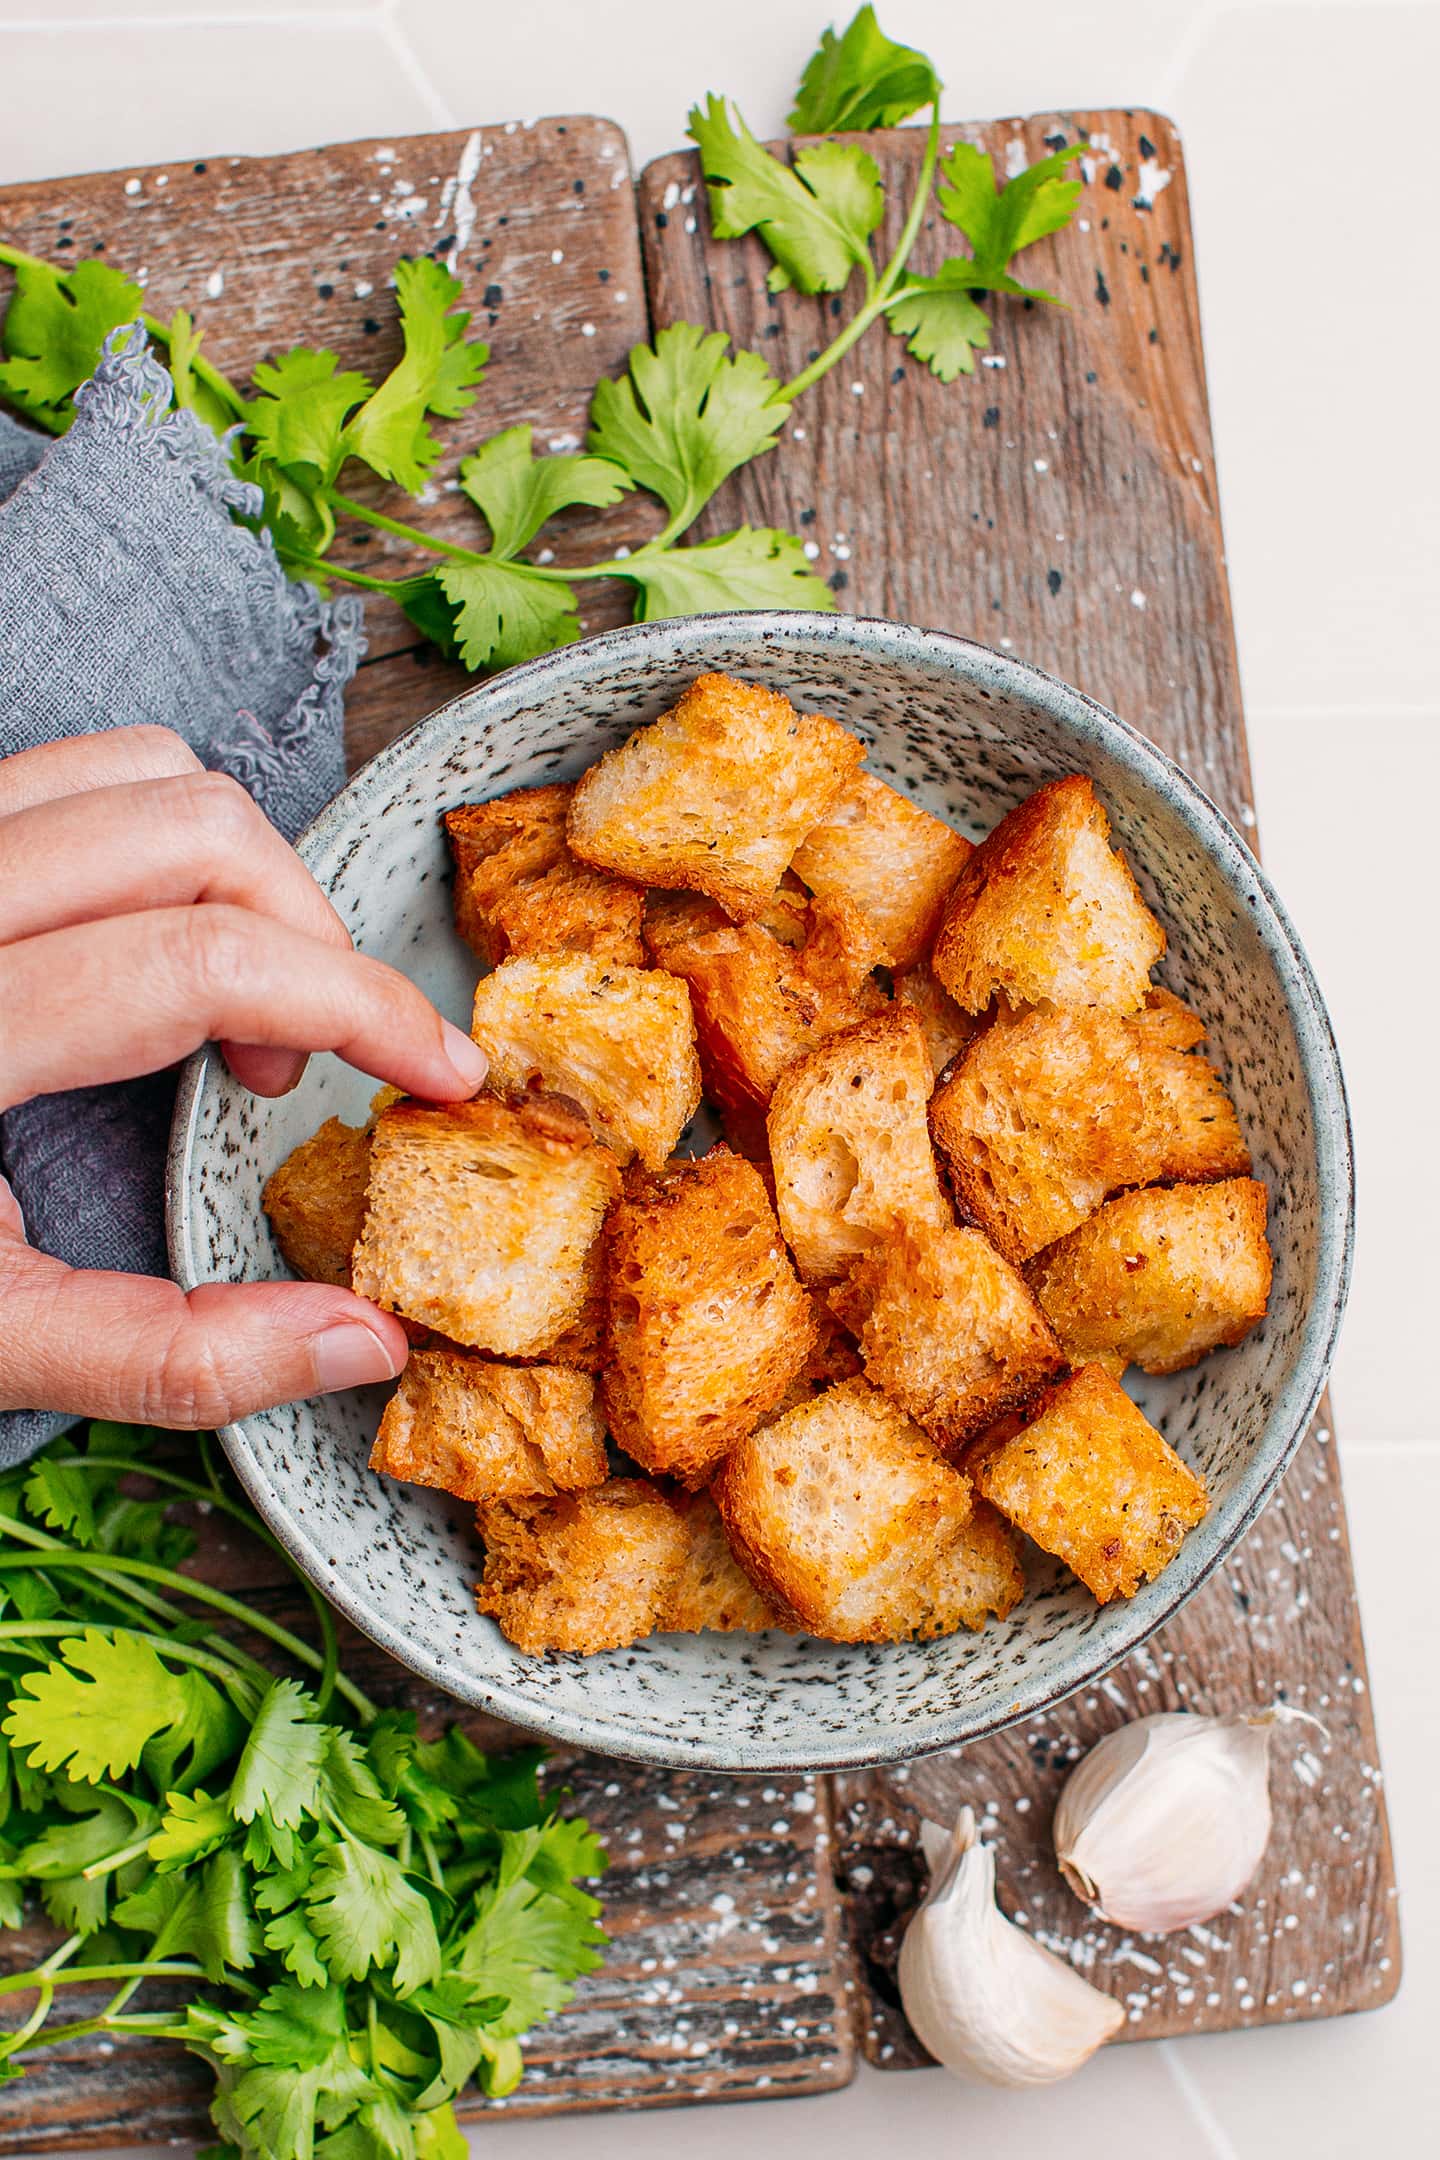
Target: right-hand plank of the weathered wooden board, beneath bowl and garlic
x=1063 y=504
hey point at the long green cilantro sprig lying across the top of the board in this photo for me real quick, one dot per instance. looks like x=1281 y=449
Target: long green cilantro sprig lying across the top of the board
x=677 y=424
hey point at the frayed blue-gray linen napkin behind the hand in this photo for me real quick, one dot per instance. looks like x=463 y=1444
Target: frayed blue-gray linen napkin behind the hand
x=131 y=595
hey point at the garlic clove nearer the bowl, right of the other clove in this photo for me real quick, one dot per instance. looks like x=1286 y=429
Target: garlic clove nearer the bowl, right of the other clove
x=1167 y=1820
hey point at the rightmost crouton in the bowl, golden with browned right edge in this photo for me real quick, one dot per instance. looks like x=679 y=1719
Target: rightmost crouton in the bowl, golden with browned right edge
x=1160 y=1278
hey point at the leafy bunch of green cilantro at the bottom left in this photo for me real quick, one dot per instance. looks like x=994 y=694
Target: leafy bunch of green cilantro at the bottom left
x=353 y=1923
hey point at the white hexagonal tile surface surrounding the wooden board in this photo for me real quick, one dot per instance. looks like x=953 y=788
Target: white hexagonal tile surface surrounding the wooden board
x=1309 y=137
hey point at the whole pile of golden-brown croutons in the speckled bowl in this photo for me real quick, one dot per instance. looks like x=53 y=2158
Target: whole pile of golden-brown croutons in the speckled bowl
x=832 y=1375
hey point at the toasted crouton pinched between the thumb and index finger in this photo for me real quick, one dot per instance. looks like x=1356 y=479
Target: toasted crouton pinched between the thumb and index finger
x=483 y=1219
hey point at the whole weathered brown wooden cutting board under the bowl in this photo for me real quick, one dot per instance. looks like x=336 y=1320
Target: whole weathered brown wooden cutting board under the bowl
x=1061 y=504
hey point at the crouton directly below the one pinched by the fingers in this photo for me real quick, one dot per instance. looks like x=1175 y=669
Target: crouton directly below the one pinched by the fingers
x=487 y=1431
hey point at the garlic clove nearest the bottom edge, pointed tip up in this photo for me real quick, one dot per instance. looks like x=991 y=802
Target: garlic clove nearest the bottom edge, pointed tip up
x=983 y=1997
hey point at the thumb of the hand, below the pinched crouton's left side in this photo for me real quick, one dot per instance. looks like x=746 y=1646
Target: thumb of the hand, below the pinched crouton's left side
x=139 y=1351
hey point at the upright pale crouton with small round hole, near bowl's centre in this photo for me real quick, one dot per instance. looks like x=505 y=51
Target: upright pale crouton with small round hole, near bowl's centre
x=850 y=1144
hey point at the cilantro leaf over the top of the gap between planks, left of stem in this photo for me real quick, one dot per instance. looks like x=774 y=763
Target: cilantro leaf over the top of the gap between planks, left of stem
x=815 y=219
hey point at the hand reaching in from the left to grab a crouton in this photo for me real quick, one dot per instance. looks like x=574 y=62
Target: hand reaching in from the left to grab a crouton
x=148 y=908
